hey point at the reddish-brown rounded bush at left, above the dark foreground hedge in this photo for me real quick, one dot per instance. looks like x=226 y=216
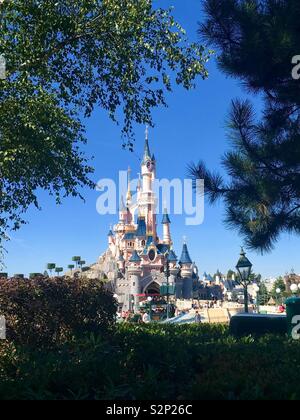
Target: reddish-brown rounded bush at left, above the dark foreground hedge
x=46 y=312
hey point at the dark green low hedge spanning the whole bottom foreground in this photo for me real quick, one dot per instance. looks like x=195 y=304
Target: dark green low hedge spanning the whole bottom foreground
x=155 y=362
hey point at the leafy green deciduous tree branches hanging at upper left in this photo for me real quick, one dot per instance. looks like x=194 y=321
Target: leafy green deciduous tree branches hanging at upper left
x=62 y=60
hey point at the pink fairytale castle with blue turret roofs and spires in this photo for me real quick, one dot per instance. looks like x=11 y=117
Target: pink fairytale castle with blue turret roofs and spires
x=136 y=257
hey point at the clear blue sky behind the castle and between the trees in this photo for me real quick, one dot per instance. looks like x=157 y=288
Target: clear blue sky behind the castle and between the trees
x=191 y=128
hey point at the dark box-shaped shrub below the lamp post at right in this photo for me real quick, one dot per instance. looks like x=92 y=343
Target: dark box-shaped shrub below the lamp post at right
x=257 y=325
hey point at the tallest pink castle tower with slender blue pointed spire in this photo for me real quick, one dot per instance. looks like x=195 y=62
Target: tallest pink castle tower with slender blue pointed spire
x=148 y=199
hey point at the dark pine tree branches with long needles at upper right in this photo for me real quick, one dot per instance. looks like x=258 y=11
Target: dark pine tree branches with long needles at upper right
x=256 y=41
